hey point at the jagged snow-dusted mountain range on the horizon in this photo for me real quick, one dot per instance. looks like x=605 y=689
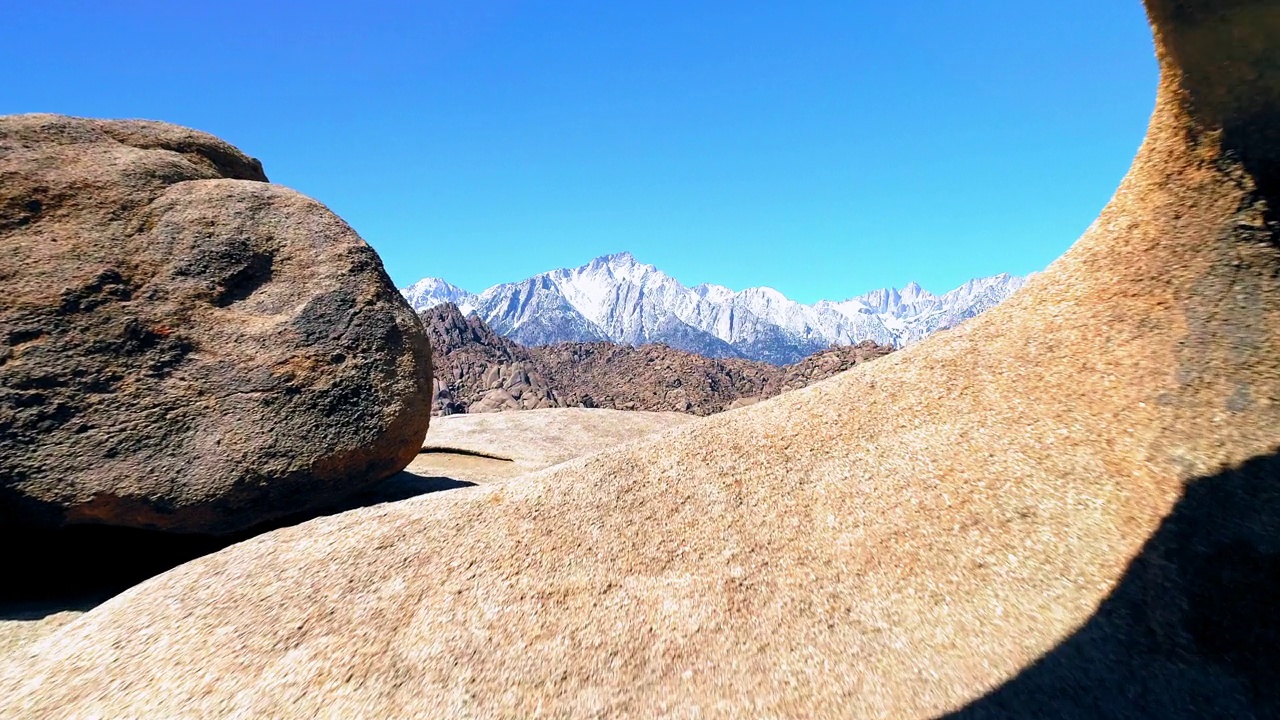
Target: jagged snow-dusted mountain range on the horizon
x=619 y=299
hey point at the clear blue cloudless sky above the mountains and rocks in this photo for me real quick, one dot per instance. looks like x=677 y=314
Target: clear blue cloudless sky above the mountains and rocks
x=824 y=148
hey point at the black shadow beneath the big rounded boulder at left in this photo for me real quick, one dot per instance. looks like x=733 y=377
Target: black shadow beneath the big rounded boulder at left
x=76 y=568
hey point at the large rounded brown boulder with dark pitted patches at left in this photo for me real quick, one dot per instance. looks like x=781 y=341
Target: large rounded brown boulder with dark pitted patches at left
x=185 y=347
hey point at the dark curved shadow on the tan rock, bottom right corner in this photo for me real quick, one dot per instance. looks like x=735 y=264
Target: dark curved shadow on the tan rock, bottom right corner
x=1191 y=631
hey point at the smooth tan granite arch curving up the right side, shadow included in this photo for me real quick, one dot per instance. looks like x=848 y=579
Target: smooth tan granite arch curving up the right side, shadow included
x=1018 y=518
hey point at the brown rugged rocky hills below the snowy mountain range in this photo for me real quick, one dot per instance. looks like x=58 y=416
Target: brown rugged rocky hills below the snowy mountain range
x=478 y=371
